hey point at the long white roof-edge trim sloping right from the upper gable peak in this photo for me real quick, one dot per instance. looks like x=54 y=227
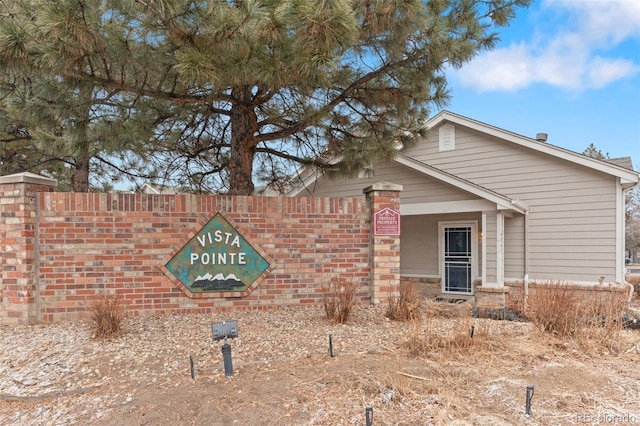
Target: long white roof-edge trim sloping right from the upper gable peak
x=627 y=176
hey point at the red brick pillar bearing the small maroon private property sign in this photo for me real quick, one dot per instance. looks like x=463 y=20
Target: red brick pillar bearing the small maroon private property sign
x=383 y=200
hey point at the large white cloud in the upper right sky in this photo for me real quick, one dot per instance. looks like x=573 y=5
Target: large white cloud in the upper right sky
x=576 y=56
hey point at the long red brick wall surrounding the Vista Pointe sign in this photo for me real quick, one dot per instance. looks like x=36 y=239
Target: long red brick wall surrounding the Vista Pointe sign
x=86 y=245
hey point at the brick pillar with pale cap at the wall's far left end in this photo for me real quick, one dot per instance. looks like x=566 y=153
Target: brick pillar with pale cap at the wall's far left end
x=18 y=268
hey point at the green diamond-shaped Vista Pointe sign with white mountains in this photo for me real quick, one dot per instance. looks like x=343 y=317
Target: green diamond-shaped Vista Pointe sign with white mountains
x=217 y=259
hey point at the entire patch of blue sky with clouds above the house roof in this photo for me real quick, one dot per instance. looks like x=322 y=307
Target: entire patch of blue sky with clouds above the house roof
x=569 y=68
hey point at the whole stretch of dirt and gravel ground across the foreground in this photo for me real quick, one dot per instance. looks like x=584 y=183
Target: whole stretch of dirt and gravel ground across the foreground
x=284 y=374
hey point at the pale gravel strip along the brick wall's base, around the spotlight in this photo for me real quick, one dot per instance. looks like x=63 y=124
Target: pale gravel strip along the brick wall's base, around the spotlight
x=44 y=361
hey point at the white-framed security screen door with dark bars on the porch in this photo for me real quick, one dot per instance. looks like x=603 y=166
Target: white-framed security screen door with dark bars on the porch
x=457 y=259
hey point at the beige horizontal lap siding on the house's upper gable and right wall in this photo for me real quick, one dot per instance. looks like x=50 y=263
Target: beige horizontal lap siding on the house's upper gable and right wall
x=572 y=208
